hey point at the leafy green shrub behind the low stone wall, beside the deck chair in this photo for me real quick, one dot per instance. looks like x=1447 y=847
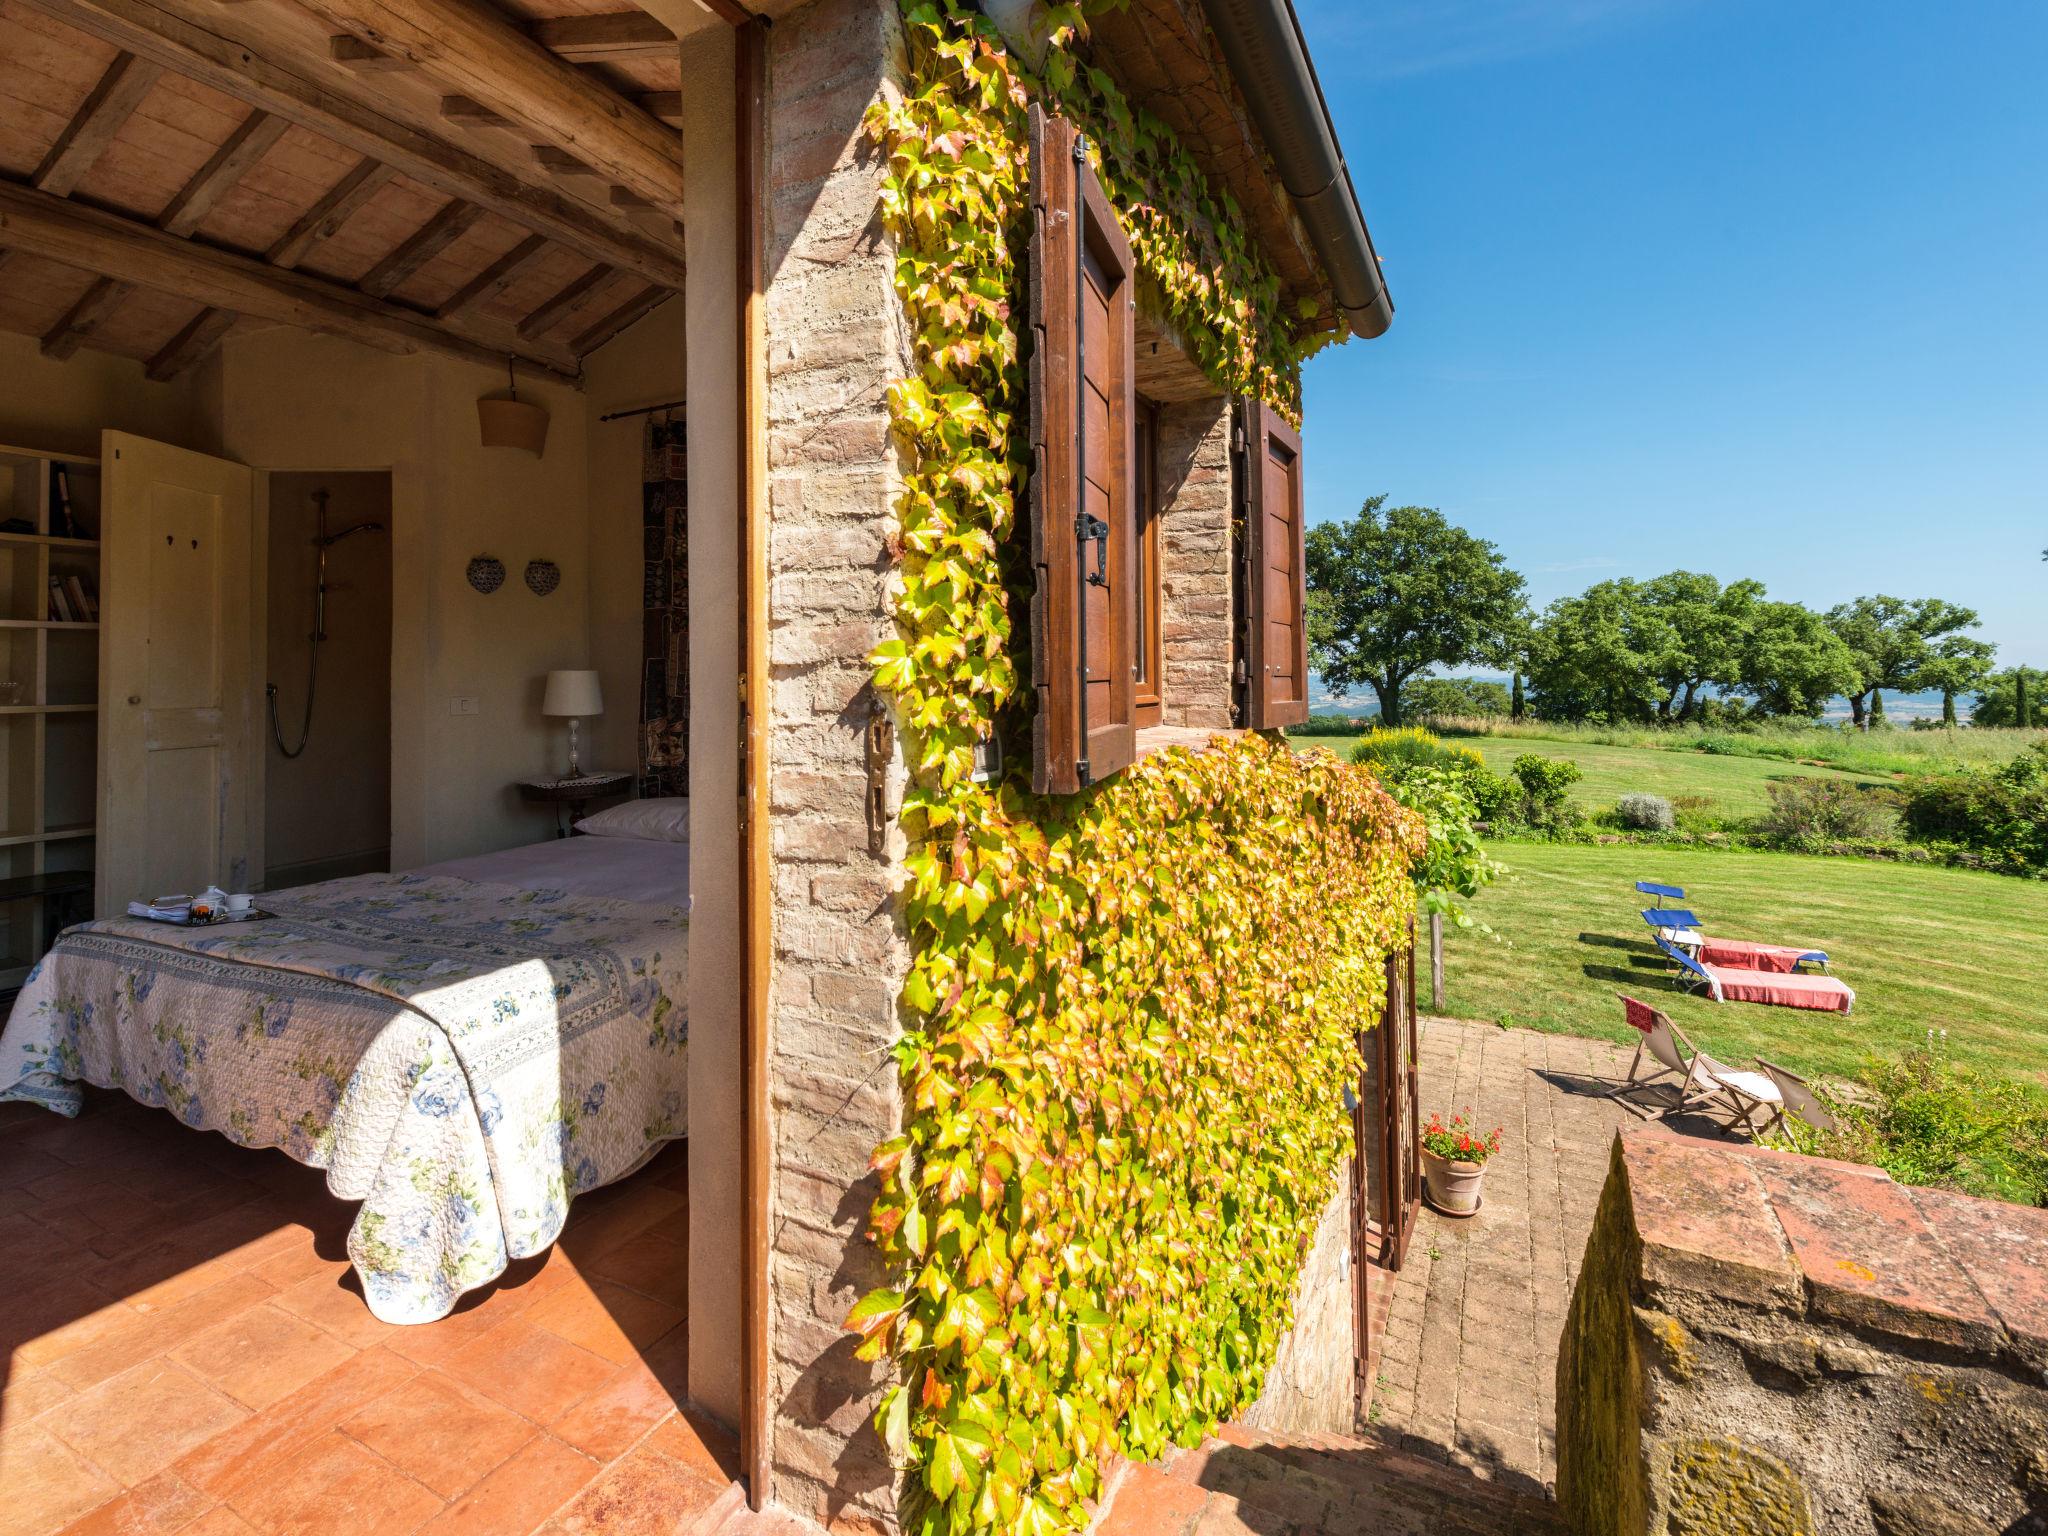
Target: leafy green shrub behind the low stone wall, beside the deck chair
x=1932 y=1121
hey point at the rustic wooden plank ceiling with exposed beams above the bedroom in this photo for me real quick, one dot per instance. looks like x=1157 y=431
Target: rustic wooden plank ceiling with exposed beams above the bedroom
x=484 y=179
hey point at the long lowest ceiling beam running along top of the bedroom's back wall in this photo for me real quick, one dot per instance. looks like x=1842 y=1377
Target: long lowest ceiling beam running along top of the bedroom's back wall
x=140 y=255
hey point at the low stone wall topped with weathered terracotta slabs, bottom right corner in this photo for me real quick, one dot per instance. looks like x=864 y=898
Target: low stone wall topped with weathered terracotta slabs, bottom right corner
x=1766 y=1345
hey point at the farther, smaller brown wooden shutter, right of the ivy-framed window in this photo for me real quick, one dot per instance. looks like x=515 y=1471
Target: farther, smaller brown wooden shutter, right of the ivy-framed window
x=1277 y=572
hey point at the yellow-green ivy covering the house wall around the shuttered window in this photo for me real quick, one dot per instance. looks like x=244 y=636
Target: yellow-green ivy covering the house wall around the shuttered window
x=1132 y=1015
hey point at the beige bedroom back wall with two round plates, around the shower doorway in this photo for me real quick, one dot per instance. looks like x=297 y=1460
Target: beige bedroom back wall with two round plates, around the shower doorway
x=292 y=400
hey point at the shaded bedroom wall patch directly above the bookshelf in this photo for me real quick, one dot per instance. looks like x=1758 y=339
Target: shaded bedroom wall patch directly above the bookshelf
x=62 y=407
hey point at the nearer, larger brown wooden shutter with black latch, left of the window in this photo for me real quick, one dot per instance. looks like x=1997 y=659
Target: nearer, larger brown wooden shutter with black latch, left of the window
x=1080 y=505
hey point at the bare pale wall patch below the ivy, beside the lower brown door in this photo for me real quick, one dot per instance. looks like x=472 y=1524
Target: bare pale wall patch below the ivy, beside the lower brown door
x=1312 y=1385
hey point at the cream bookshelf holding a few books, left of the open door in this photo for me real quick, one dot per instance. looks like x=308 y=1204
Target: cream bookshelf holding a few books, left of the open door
x=50 y=679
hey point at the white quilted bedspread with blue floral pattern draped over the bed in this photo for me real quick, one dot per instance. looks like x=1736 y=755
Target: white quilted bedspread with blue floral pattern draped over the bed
x=460 y=1058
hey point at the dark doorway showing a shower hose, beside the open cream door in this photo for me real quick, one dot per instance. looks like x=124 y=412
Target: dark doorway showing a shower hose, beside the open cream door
x=329 y=665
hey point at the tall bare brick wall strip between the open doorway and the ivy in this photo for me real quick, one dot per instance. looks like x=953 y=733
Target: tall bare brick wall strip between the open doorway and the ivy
x=837 y=341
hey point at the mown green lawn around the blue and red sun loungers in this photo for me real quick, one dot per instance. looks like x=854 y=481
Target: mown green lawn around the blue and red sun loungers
x=1924 y=949
